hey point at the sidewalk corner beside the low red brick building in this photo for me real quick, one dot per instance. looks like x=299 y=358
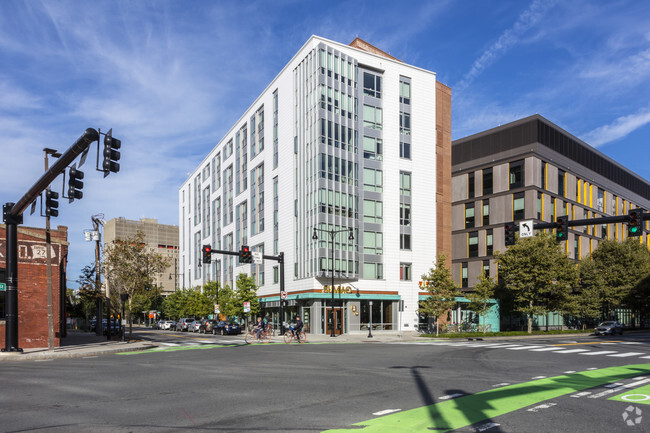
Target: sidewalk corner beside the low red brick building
x=77 y=345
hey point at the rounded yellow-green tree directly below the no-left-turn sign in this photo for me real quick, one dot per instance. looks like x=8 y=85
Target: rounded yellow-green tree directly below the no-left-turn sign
x=536 y=275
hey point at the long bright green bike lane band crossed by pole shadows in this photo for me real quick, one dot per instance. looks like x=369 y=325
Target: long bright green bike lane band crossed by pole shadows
x=487 y=405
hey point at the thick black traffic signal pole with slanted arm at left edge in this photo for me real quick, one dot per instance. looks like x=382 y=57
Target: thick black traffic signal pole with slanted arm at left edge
x=13 y=216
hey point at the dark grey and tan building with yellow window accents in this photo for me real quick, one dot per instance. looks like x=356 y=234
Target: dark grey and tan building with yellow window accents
x=531 y=169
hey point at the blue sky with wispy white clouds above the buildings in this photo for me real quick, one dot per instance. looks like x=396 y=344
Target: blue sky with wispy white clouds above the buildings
x=170 y=77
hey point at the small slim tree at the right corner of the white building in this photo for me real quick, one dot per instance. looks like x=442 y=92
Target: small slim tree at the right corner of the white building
x=442 y=290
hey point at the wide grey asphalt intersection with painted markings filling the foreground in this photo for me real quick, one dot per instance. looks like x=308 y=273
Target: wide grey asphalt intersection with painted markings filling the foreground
x=192 y=383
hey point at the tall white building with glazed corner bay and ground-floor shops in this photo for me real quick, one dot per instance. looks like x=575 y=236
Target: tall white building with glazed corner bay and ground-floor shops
x=345 y=139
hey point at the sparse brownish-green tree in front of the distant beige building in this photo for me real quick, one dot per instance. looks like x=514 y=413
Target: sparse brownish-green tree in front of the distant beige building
x=130 y=267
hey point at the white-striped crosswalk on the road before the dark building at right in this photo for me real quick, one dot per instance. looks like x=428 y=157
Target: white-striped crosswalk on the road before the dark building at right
x=561 y=349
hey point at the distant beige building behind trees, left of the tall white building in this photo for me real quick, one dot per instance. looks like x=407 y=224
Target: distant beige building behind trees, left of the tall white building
x=161 y=238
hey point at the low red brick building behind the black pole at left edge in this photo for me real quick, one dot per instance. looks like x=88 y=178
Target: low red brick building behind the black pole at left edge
x=32 y=285
